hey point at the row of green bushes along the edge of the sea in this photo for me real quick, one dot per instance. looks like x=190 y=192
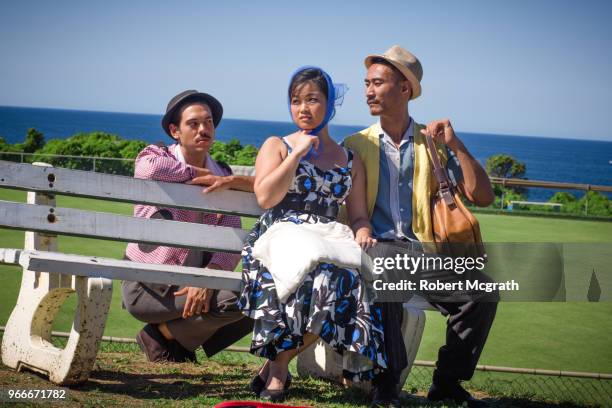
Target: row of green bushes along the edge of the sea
x=105 y=145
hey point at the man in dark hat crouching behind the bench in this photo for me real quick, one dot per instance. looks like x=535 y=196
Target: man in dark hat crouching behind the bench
x=180 y=319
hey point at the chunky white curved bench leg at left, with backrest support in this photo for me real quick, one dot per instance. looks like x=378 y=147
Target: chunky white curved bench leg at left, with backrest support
x=26 y=341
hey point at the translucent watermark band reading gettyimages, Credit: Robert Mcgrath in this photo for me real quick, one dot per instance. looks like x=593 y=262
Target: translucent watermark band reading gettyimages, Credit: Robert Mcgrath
x=509 y=271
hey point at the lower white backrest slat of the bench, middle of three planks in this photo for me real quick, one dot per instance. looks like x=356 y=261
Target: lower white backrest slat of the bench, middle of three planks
x=115 y=227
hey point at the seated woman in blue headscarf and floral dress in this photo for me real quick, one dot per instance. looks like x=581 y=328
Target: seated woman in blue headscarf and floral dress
x=304 y=178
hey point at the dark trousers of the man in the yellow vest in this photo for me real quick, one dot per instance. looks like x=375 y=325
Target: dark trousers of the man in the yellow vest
x=468 y=324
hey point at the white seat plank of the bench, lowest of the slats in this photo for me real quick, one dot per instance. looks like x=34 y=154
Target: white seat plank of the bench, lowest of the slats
x=54 y=262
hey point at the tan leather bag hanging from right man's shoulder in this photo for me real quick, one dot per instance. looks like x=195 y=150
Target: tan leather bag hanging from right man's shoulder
x=455 y=229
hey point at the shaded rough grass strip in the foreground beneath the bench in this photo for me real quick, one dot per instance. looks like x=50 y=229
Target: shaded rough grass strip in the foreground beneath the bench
x=122 y=377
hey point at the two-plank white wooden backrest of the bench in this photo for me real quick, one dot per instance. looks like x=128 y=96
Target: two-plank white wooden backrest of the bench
x=92 y=224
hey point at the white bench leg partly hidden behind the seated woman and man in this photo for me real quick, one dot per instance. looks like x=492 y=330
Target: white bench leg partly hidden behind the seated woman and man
x=321 y=361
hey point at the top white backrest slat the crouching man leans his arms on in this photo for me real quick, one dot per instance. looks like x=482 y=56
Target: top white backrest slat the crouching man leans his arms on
x=125 y=189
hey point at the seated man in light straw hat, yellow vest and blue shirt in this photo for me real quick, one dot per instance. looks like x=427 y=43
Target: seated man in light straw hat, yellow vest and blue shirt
x=400 y=185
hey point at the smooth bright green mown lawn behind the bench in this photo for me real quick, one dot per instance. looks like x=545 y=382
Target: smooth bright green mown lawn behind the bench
x=564 y=336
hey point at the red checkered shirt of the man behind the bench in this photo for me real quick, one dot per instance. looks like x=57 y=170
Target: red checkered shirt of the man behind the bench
x=166 y=164
